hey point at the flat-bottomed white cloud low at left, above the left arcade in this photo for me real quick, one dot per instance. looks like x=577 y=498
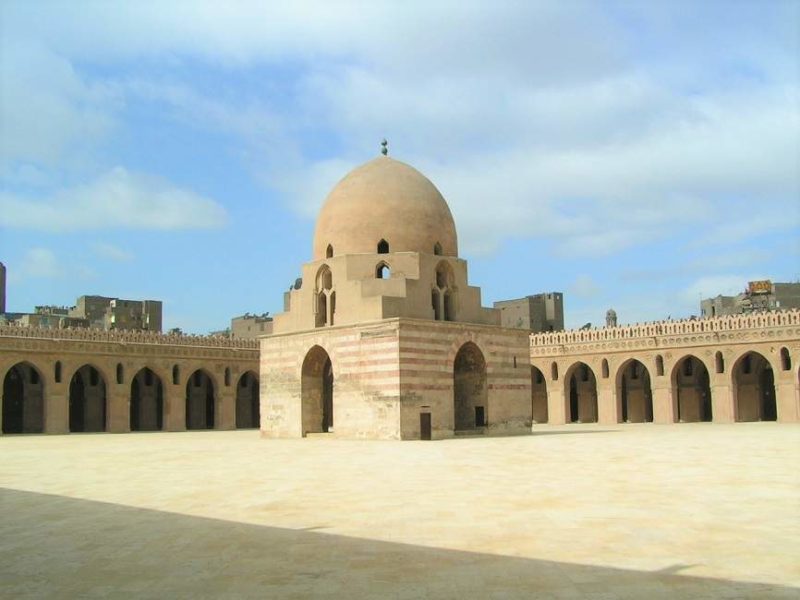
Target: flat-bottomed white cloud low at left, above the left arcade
x=116 y=199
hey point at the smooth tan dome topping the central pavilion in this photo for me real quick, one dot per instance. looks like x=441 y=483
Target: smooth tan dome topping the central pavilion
x=385 y=199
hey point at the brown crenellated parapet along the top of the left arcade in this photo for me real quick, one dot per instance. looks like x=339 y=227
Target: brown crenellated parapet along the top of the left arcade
x=127 y=337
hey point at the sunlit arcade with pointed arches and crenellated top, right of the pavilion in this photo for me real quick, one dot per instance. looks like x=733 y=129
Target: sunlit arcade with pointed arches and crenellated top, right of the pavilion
x=724 y=370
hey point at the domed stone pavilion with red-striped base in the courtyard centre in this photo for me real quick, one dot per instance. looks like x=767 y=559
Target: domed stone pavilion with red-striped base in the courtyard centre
x=383 y=337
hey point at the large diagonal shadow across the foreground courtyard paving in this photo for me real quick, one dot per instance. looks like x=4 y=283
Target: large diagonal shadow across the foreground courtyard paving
x=54 y=546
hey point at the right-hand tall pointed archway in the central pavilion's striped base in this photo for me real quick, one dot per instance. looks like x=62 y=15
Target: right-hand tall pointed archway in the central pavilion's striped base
x=470 y=392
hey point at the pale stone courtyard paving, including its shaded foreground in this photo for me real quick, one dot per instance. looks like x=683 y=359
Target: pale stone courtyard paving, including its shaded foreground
x=580 y=511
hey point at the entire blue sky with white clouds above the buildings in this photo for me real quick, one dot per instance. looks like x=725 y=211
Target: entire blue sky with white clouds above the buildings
x=634 y=155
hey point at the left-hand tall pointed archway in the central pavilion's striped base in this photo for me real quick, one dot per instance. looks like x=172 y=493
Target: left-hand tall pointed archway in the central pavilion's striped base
x=316 y=390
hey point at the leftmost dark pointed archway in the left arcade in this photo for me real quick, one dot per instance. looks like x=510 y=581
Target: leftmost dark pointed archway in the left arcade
x=23 y=400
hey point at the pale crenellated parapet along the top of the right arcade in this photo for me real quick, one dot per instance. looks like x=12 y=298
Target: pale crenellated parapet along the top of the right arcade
x=656 y=328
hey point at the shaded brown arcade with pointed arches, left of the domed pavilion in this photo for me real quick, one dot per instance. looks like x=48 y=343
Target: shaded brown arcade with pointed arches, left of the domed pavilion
x=60 y=381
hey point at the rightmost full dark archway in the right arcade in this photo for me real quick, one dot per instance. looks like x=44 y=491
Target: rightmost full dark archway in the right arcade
x=754 y=389
